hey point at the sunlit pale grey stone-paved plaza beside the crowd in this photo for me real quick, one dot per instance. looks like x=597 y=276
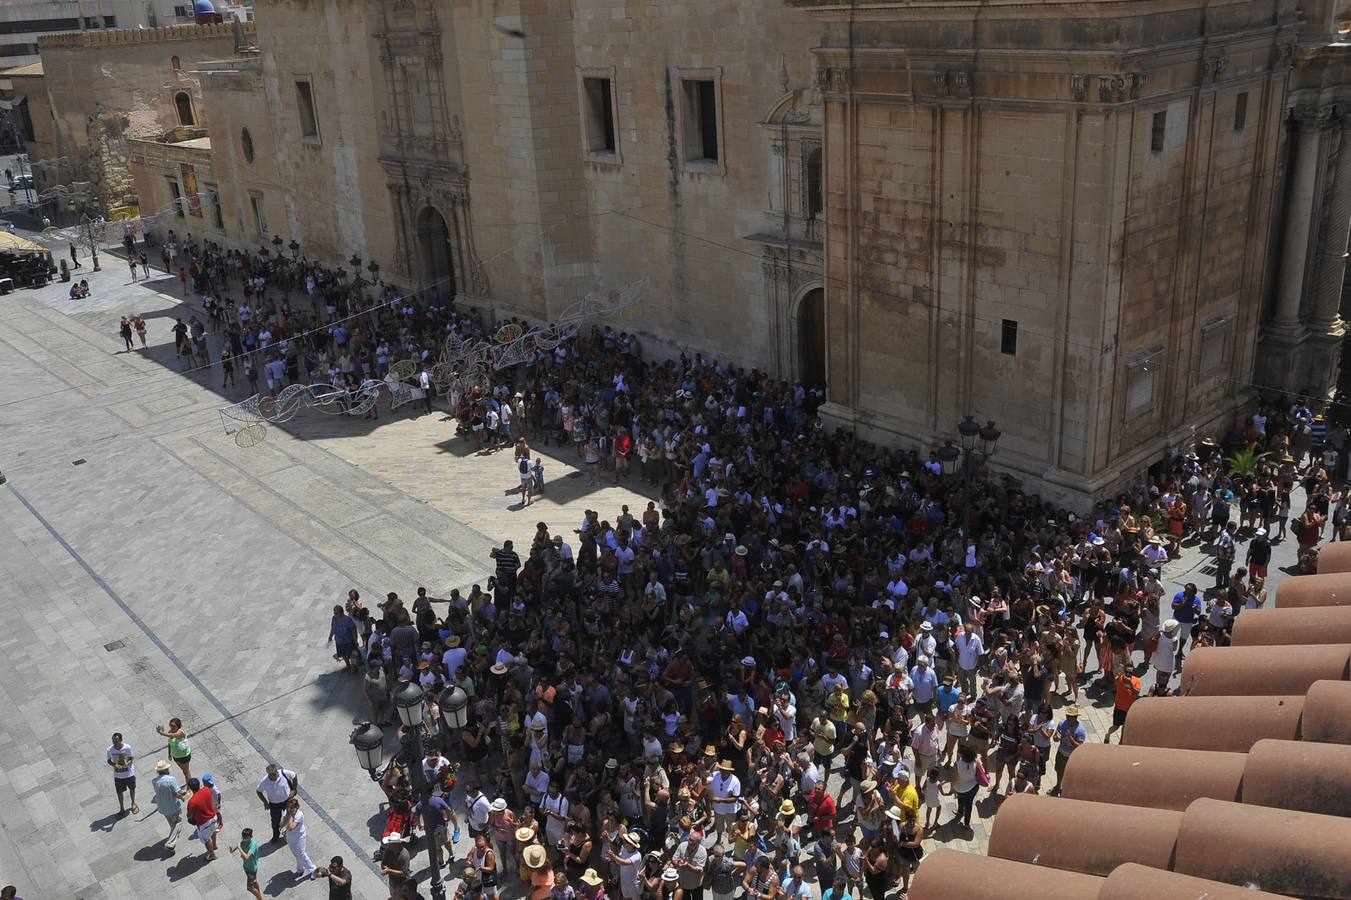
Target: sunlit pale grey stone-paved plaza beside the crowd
x=156 y=570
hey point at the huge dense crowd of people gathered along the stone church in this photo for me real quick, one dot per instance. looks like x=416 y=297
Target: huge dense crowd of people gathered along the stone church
x=805 y=659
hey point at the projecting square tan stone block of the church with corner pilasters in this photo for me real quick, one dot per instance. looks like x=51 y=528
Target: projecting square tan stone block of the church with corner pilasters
x=1072 y=244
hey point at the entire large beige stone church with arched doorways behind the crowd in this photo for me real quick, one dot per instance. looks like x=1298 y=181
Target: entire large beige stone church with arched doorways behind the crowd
x=1100 y=225
